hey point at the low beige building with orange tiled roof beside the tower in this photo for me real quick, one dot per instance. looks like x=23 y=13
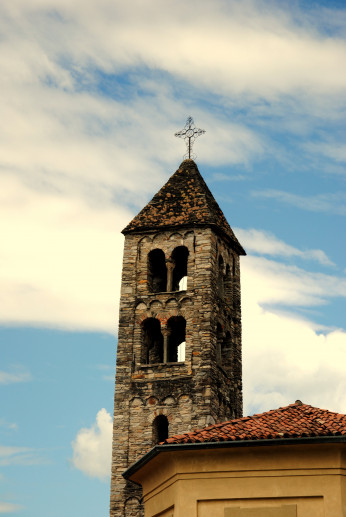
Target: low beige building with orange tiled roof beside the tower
x=288 y=462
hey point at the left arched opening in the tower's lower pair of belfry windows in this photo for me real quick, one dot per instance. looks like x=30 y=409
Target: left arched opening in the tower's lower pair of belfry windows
x=152 y=341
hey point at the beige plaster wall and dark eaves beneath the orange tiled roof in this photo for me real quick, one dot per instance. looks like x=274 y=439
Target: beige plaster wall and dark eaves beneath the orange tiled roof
x=276 y=481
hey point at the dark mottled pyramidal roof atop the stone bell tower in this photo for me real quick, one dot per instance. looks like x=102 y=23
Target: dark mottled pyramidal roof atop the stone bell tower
x=184 y=201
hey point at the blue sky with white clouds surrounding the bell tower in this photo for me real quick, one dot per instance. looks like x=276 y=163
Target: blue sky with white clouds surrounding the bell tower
x=92 y=94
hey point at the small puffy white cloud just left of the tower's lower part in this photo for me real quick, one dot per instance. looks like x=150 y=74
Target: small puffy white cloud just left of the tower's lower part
x=92 y=447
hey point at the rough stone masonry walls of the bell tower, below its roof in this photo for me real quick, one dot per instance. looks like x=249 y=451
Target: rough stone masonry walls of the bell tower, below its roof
x=203 y=389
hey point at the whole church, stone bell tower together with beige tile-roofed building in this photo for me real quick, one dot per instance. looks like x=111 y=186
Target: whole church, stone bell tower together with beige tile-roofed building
x=181 y=446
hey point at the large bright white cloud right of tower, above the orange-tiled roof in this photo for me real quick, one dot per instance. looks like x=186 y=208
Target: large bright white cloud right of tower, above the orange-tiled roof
x=286 y=357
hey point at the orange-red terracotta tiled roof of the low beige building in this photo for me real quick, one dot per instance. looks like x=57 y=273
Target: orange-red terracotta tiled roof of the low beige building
x=297 y=420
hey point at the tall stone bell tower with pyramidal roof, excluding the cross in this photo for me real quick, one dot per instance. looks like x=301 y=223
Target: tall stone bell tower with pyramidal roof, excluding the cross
x=179 y=349
